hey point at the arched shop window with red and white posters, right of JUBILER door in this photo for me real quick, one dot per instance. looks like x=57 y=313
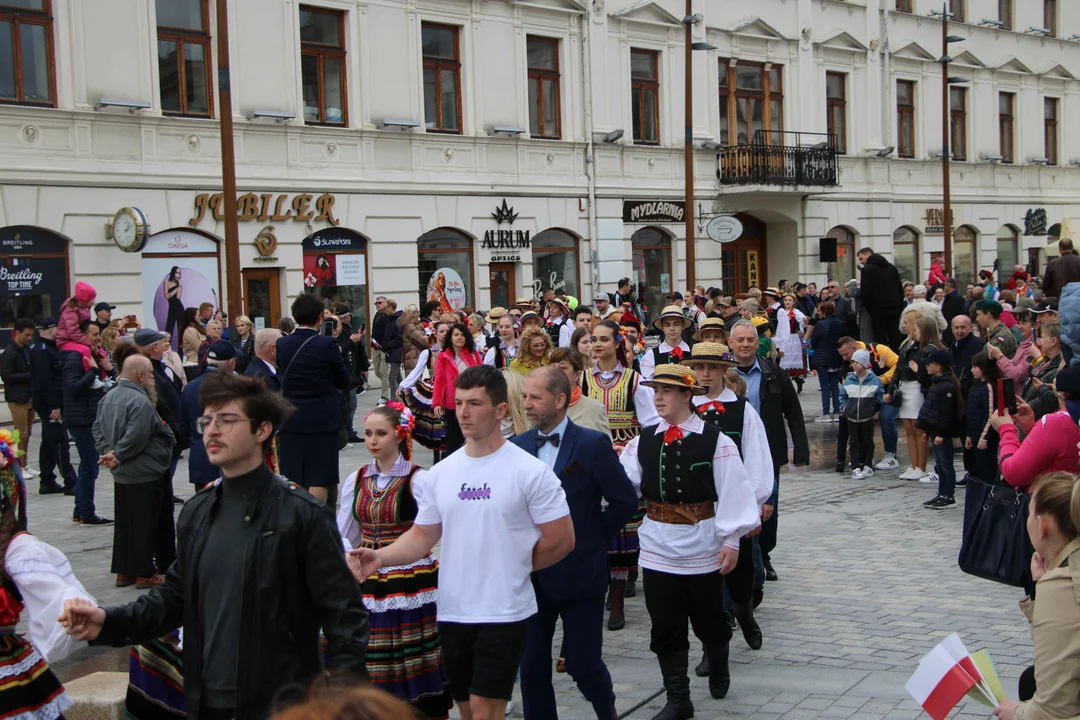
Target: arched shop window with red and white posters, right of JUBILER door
x=335 y=269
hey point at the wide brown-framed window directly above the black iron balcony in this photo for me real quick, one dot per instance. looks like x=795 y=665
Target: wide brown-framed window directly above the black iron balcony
x=754 y=111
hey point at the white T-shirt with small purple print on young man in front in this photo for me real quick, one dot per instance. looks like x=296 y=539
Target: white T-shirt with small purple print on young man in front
x=490 y=509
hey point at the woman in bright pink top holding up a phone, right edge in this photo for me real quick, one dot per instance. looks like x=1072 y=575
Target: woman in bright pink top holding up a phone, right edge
x=1051 y=442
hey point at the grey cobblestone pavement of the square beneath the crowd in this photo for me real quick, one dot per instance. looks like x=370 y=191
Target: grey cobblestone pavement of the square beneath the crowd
x=868 y=585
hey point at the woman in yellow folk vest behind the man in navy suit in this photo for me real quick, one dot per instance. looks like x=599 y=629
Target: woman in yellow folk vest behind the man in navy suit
x=629 y=406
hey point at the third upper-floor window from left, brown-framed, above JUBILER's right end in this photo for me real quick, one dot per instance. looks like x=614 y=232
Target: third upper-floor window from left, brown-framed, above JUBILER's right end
x=322 y=66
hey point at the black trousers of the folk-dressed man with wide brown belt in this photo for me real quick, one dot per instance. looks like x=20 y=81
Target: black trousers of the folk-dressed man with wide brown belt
x=674 y=601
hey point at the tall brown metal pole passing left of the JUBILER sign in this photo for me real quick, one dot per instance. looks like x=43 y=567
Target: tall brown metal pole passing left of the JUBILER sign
x=228 y=172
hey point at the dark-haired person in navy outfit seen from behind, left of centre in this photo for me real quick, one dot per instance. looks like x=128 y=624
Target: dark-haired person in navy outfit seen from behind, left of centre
x=313 y=377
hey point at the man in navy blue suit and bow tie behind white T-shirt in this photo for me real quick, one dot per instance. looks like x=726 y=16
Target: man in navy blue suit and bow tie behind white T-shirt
x=574 y=588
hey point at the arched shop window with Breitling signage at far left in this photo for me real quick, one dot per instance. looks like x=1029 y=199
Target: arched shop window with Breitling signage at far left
x=34 y=276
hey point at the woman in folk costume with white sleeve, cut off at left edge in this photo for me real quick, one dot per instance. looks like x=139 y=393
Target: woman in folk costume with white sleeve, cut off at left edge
x=37 y=578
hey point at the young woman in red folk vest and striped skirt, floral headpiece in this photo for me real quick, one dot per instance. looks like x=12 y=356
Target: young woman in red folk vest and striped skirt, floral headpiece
x=377 y=508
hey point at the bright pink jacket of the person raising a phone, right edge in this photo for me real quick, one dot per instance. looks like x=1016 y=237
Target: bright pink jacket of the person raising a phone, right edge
x=1051 y=446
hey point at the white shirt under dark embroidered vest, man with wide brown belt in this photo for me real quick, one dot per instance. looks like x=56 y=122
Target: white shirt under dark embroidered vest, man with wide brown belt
x=693 y=550
